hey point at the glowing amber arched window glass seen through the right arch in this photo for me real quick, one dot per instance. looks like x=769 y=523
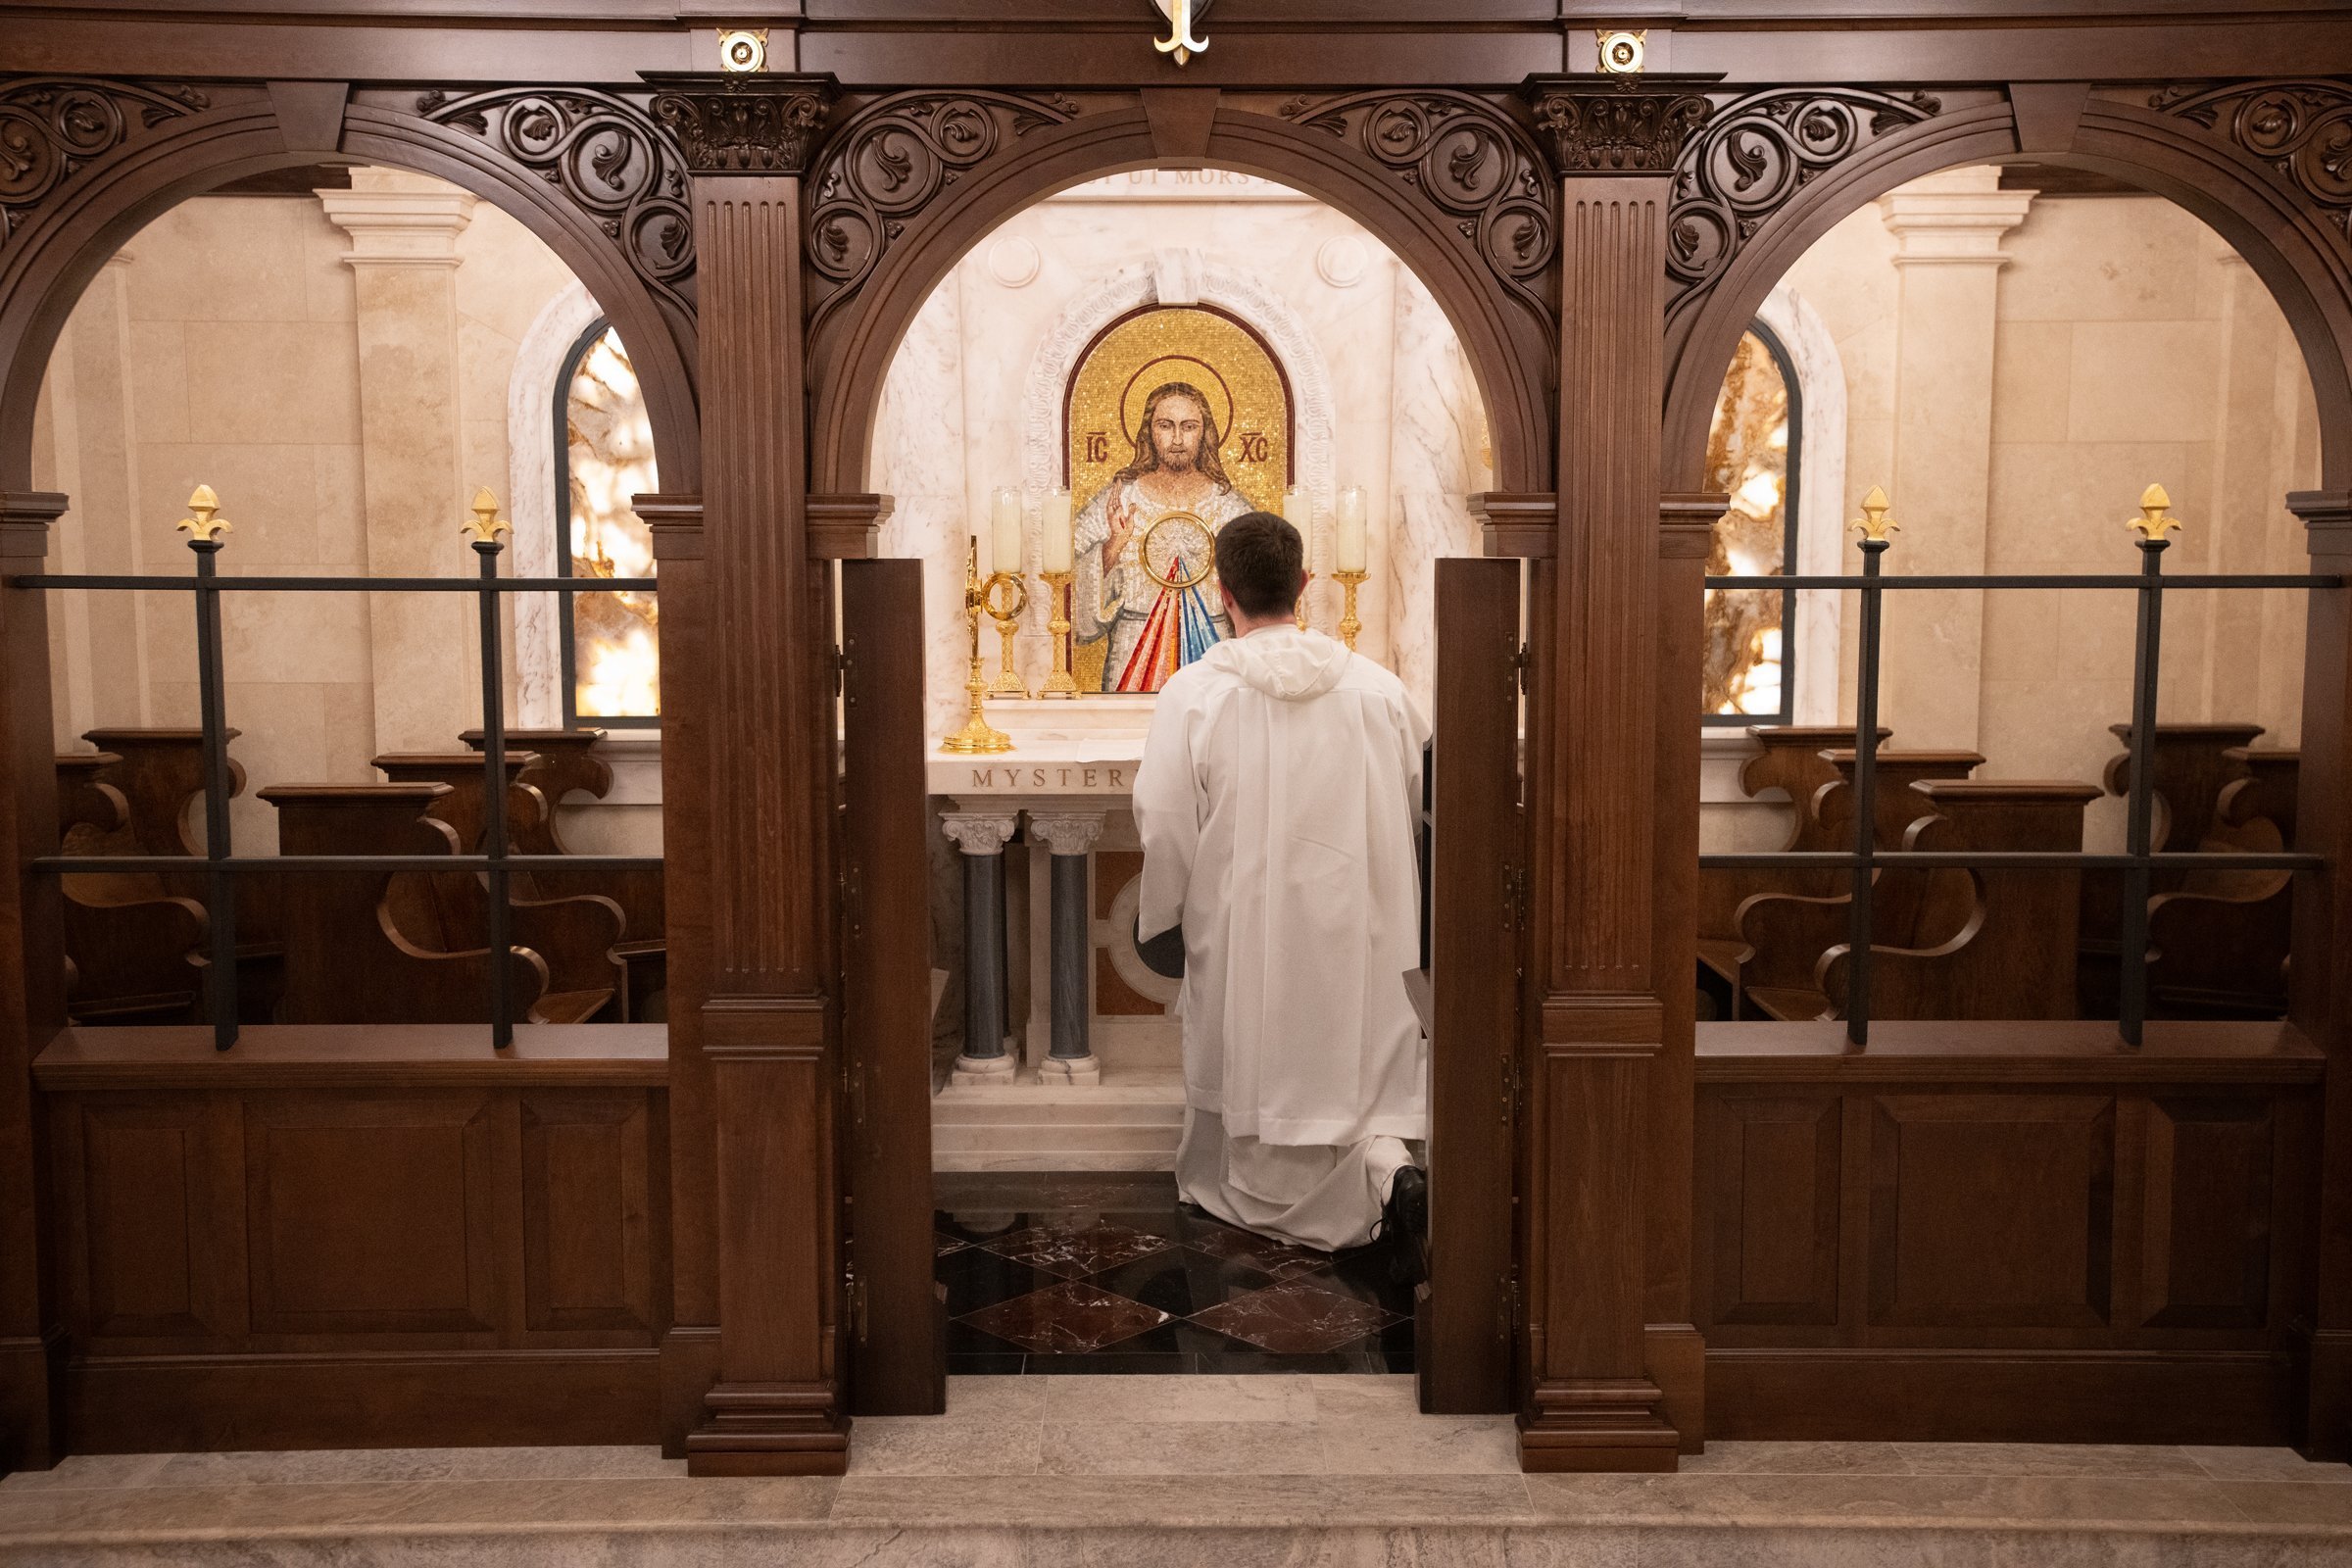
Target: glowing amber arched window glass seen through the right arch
x=1749 y=457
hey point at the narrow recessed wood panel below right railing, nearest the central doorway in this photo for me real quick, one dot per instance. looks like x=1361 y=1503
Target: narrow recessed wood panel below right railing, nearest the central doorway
x=1772 y=1205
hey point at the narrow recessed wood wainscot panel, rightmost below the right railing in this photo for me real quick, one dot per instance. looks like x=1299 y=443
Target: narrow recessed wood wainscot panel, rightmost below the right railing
x=2205 y=1252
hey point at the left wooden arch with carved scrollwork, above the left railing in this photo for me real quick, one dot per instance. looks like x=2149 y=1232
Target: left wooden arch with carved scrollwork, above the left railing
x=88 y=161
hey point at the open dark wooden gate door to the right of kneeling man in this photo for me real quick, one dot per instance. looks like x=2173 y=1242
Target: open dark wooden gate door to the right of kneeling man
x=1478 y=894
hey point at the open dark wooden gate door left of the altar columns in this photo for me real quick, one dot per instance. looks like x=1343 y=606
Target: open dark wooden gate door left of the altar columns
x=897 y=1329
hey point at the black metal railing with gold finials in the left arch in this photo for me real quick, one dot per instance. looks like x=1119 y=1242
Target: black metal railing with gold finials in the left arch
x=222 y=864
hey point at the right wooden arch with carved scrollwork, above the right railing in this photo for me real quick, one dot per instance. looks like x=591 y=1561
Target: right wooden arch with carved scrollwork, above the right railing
x=2261 y=163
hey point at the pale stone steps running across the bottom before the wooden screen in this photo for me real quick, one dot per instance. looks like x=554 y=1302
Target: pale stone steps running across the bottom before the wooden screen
x=1151 y=1473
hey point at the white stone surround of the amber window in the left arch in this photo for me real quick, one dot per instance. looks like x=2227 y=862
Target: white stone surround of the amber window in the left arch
x=533 y=504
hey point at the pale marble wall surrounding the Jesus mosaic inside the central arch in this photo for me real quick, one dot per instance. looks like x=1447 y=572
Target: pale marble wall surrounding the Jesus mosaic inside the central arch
x=1379 y=382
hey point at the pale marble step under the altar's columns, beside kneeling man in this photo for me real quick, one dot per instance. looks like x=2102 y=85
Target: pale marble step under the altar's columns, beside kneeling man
x=1128 y=1123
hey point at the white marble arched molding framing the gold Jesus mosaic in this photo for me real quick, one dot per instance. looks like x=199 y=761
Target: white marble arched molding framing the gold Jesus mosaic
x=1175 y=276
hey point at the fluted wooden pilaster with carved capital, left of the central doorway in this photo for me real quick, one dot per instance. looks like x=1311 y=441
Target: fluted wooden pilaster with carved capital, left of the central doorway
x=770 y=1024
